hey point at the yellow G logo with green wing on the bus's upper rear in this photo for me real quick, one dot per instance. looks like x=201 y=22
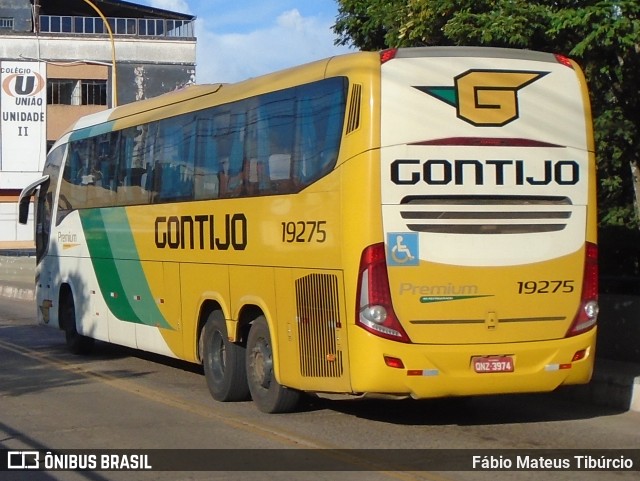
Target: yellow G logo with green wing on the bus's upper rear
x=485 y=98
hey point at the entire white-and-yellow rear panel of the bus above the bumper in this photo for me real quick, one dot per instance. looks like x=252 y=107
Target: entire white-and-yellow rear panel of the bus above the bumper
x=486 y=185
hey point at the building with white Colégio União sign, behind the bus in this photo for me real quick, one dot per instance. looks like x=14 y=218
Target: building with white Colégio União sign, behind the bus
x=57 y=64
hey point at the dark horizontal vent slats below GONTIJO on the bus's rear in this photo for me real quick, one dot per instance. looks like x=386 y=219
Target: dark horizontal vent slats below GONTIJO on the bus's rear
x=486 y=214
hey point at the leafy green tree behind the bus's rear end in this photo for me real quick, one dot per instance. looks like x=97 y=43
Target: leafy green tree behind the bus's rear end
x=603 y=36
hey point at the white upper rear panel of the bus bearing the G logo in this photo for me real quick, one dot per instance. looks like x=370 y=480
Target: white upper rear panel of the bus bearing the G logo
x=426 y=96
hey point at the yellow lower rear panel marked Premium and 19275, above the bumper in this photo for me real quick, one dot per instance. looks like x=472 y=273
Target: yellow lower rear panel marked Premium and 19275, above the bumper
x=444 y=304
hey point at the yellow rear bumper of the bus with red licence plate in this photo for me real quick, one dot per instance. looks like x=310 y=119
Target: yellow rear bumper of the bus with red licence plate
x=428 y=371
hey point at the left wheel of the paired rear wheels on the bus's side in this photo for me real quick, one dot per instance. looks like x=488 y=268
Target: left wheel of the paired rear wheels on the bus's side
x=223 y=362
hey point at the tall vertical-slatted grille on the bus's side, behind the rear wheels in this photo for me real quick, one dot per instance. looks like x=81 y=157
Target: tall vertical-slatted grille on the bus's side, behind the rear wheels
x=318 y=319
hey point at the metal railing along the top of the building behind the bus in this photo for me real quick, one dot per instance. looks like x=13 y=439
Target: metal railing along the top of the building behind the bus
x=140 y=27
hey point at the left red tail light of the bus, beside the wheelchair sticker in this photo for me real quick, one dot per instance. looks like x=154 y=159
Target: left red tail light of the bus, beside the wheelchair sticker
x=374 y=311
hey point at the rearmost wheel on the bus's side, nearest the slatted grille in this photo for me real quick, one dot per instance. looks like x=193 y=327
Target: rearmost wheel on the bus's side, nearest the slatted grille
x=267 y=393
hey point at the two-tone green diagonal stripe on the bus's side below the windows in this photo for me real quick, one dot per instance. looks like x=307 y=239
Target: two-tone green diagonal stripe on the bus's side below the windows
x=118 y=269
